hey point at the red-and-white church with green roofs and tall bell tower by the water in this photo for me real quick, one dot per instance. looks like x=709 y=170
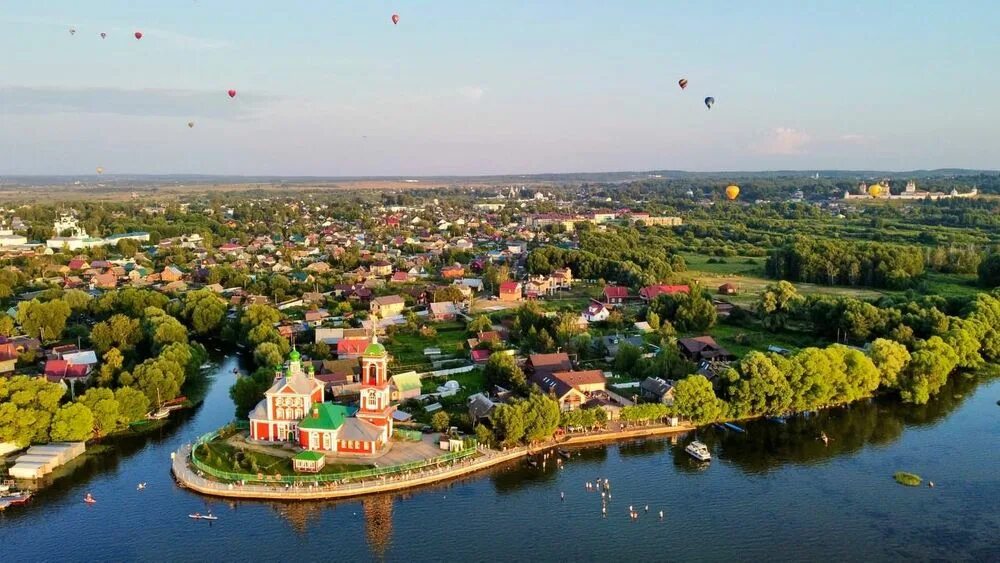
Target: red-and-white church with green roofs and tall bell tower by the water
x=294 y=409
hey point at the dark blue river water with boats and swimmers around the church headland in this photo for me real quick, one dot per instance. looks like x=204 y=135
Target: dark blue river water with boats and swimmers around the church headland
x=773 y=493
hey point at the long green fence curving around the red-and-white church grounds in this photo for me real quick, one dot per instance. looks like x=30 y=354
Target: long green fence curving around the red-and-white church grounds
x=343 y=477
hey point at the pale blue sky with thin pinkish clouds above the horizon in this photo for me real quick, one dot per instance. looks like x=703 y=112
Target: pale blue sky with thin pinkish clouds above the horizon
x=472 y=87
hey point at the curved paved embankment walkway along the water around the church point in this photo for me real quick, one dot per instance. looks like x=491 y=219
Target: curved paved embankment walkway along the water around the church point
x=188 y=477
